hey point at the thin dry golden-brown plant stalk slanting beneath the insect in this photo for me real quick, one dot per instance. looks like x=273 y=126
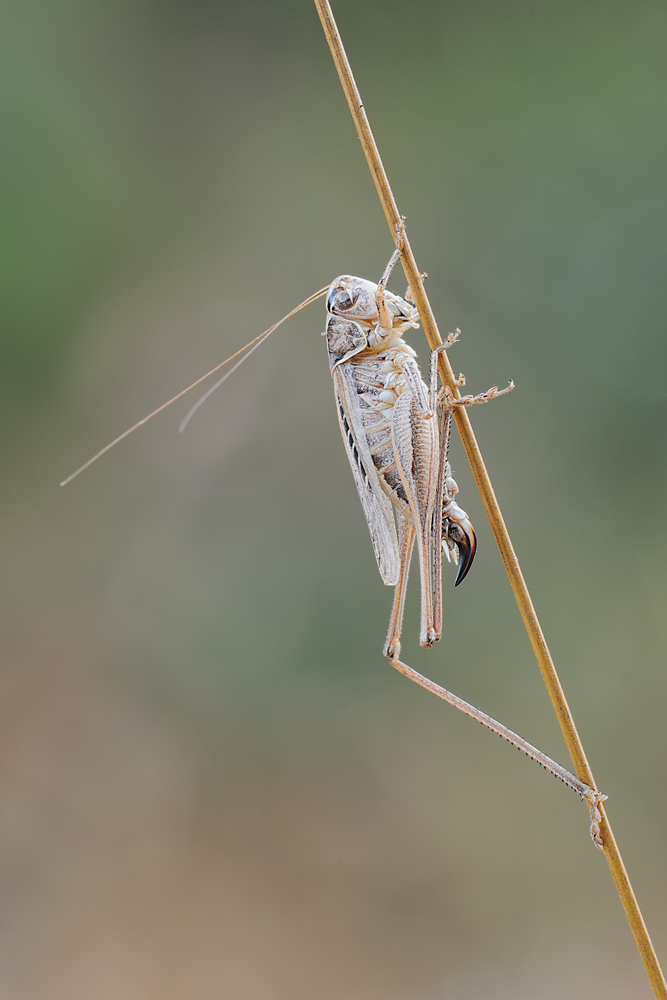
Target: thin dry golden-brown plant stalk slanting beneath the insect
x=521 y=593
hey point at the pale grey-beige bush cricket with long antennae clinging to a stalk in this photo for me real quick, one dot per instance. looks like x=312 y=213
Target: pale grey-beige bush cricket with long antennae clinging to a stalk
x=396 y=433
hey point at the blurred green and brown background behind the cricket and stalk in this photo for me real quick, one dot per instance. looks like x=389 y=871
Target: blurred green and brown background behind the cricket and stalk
x=213 y=785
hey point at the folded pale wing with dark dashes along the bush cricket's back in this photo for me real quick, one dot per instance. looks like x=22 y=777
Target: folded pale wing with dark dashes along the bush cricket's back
x=376 y=505
